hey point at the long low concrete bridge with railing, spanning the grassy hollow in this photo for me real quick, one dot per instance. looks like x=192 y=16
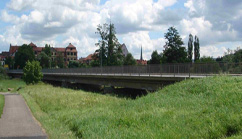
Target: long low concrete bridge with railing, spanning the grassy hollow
x=150 y=77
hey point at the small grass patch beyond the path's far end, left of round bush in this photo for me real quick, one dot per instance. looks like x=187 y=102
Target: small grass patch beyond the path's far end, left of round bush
x=14 y=84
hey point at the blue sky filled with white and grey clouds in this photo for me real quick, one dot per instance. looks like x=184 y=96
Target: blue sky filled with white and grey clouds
x=217 y=23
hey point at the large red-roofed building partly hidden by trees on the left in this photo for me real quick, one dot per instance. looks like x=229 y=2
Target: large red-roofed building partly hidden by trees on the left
x=69 y=53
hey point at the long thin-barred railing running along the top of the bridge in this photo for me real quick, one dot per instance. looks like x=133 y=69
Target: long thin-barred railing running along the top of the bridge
x=183 y=69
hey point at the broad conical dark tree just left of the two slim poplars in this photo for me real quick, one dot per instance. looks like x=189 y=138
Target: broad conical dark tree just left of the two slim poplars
x=174 y=52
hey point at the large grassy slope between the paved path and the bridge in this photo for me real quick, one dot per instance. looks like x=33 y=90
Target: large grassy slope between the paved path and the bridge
x=201 y=108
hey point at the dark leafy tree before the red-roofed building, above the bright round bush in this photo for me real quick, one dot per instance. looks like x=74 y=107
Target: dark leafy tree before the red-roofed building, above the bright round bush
x=25 y=53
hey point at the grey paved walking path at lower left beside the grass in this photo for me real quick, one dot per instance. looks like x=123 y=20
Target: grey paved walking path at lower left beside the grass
x=17 y=120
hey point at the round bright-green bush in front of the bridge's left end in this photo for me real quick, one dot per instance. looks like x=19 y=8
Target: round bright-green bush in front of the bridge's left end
x=32 y=72
